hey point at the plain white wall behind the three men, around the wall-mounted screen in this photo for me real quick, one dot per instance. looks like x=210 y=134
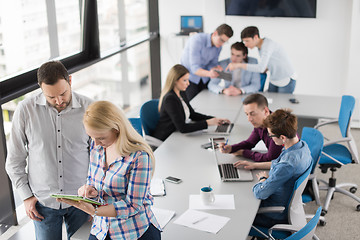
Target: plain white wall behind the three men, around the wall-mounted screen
x=323 y=50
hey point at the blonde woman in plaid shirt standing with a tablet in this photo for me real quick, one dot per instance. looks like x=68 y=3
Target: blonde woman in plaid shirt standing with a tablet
x=121 y=165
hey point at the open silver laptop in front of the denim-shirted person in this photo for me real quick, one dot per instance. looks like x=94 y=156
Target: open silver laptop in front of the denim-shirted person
x=229 y=173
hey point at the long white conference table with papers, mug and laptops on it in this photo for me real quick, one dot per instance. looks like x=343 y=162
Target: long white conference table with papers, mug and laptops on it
x=181 y=156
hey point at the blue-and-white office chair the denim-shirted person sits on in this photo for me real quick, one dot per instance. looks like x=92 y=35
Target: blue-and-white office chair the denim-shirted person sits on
x=295 y=211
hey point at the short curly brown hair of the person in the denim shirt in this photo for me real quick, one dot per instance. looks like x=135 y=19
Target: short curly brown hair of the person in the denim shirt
x=282 y=122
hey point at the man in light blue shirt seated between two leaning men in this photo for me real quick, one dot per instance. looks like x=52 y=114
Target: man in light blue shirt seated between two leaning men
x=242 y=81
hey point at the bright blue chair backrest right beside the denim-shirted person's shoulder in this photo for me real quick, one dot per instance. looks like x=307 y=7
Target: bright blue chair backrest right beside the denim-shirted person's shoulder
x=315 y=141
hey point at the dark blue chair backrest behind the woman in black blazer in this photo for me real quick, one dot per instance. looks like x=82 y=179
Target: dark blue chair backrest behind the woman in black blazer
x=149 y=115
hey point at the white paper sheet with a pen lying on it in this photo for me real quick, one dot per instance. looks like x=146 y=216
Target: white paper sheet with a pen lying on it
x=202 y=221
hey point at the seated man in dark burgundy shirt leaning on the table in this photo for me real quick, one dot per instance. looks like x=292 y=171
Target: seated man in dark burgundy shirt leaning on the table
x=256 y=109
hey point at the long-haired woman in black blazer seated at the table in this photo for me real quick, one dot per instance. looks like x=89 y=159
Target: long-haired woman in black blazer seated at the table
x=175 y=109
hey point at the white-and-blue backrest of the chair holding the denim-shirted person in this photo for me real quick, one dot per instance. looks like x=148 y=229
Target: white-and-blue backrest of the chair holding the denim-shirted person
x=296 y=213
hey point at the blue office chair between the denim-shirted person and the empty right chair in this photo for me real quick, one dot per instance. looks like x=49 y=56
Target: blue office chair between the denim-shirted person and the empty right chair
x=315 y=142
